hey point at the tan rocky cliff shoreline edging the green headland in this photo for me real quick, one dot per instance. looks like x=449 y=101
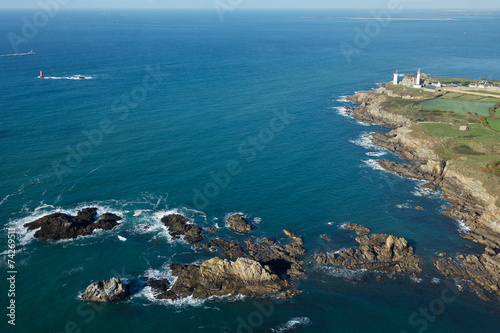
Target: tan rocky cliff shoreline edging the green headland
x=470 y=203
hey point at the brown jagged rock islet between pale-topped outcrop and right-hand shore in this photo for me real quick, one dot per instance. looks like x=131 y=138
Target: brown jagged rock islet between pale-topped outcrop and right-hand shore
x=379 y=252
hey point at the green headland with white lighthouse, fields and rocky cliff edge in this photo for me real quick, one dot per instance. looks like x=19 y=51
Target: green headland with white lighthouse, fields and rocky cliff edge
x=449 y=130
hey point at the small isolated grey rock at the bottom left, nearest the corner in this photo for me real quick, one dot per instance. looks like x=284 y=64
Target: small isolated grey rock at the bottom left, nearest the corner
x=106 y=291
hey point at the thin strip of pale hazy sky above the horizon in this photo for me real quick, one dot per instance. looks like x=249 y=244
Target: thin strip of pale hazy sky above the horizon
x=441 y=4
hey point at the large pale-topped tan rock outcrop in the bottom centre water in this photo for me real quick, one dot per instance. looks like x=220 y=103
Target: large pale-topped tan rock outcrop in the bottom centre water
x=221 y=277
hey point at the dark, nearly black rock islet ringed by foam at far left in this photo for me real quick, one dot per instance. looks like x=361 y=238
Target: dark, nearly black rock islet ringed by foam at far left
x=62 y=226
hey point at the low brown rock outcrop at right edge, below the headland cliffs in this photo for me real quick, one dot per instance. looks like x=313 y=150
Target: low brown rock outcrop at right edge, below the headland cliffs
x=479 y=272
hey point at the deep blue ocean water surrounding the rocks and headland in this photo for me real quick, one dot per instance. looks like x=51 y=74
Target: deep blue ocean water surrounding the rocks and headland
x=174 y=102
